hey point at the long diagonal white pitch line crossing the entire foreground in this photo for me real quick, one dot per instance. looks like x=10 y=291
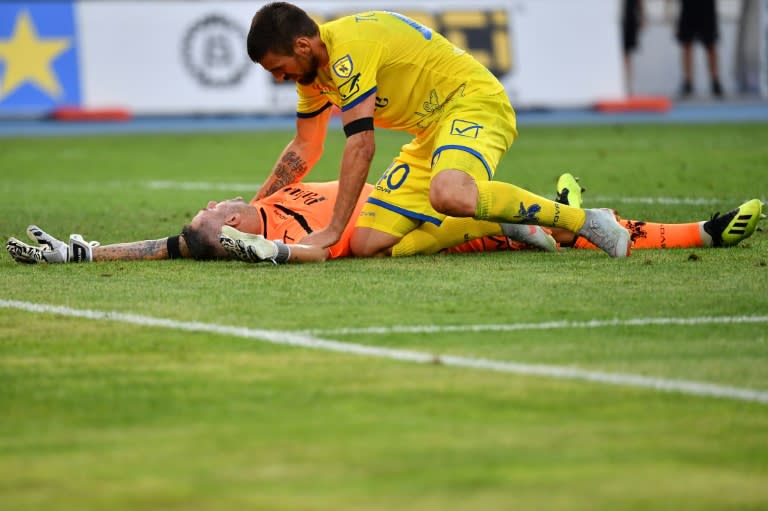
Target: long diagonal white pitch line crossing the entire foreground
x=304 y=340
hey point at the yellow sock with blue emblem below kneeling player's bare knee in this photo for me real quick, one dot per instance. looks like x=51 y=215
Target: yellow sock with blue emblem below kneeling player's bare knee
x=504 y=202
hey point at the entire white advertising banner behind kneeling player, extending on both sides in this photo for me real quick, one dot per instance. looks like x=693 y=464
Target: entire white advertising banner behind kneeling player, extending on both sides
x=187 y=57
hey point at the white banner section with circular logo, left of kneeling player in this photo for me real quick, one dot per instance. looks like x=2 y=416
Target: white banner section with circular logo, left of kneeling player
x=169 y=57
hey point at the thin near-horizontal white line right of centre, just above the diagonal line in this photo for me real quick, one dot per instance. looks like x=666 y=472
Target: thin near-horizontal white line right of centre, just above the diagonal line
x=547 y=325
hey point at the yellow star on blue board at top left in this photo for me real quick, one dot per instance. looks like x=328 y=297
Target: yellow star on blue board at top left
x=28 y=58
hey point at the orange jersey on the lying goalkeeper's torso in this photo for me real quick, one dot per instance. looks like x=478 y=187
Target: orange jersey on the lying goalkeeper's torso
x=302 y=208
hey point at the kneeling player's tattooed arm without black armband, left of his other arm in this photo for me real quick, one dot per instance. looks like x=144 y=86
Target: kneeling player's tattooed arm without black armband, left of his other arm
x=298 y=158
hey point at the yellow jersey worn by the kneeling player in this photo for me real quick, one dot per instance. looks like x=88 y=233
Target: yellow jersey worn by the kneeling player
x=413 y=71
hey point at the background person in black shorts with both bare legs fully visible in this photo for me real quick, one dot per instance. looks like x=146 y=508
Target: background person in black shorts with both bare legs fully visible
x=698 y=22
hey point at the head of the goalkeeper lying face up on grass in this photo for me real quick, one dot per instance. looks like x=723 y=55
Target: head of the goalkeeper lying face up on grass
x=201 y=235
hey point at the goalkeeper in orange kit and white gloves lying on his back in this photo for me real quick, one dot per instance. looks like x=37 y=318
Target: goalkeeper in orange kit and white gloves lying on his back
x=265 y=230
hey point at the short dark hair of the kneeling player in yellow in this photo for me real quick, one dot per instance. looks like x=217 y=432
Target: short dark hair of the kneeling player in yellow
x=275 y=27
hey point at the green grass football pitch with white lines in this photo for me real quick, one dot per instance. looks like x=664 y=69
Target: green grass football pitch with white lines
x=516 y=380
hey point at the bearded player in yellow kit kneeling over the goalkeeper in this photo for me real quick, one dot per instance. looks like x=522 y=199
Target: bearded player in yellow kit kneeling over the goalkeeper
x=385 y=70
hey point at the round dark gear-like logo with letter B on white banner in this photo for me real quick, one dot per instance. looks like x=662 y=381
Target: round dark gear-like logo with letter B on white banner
x=214 y=52
